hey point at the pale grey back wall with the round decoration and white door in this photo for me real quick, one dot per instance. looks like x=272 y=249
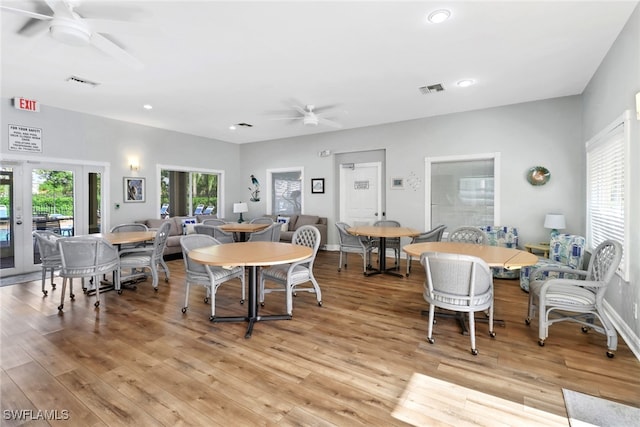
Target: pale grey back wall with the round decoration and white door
x=543 y=133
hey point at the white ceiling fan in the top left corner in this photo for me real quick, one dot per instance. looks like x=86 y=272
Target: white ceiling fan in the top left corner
x=67 y=26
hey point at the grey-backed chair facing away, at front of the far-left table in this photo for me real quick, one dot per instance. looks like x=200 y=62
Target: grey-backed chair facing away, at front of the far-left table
x=87 y=257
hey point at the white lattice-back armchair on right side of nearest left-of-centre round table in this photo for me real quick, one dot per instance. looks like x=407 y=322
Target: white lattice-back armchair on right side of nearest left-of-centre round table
x=290 y=276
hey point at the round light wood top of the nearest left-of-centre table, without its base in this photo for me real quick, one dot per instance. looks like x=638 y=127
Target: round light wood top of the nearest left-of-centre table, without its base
x=251 y=254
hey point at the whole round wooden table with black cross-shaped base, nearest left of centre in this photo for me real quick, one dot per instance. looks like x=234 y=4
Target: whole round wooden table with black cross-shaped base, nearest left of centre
x=252 y=255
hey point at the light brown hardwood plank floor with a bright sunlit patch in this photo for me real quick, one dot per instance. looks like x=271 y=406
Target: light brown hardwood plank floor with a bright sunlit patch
x=360 y=359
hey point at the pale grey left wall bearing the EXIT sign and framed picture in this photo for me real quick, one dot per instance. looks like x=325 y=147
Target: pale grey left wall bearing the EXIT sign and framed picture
x=71 y=135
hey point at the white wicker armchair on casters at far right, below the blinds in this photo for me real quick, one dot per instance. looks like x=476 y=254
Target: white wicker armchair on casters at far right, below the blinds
x=578 y=300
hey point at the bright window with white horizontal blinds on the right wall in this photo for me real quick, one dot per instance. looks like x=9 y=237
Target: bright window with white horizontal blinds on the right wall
x=608 y=187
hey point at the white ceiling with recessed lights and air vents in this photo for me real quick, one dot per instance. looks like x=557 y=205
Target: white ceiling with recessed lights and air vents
x=211 y=64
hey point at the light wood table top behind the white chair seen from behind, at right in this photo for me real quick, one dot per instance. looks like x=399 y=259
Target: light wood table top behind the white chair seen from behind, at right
x=494 y=256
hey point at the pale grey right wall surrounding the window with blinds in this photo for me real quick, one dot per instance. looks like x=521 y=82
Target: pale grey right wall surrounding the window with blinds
x=611 y=91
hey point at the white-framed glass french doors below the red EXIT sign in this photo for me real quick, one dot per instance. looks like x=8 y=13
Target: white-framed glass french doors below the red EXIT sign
x=61 y=198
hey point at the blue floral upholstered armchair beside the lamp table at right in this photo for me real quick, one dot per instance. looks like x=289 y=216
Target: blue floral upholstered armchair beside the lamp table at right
x=565 y=250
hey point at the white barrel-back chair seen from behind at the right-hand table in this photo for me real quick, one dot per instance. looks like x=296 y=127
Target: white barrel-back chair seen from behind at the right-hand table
x=459 y=283
